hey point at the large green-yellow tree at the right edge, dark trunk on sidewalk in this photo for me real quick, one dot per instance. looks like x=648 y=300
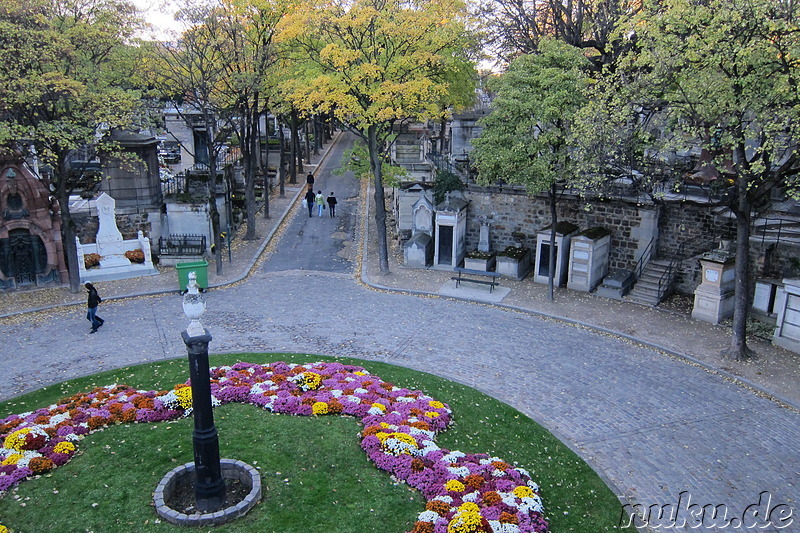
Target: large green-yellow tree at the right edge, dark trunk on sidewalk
x=723 y=76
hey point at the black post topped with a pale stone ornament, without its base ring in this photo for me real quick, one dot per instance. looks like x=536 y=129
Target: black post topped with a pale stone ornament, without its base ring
x=209 y=487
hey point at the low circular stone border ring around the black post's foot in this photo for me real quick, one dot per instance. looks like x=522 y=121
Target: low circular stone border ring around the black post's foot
x=231 y=469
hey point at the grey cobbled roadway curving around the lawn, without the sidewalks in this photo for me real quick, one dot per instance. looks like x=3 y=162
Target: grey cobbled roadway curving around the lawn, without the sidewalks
x=656 y=427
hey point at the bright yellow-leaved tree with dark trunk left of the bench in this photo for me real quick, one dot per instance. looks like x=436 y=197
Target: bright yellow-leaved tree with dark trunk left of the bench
x=375 y=64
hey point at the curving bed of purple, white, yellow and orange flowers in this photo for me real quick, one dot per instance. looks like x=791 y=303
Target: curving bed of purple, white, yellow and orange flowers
x=465 y=493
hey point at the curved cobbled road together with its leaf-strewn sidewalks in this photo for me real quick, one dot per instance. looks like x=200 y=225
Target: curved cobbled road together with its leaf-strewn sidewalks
x=655 y=422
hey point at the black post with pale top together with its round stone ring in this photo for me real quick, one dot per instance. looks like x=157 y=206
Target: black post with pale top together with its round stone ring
x=195 y=494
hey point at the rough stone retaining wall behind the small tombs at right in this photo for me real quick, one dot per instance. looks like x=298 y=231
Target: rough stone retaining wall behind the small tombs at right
x=684 y=228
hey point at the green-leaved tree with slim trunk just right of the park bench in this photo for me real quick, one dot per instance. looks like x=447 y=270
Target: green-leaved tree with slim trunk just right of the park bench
x=525 y=137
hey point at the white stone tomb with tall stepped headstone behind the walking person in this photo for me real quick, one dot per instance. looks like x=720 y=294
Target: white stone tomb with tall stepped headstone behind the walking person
x=111 y=248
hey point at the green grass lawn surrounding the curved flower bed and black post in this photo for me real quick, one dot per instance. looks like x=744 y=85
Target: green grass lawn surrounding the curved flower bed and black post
x=316 y=478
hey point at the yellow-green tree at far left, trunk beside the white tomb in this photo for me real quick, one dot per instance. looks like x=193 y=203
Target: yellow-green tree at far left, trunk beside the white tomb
x=62 y=88
